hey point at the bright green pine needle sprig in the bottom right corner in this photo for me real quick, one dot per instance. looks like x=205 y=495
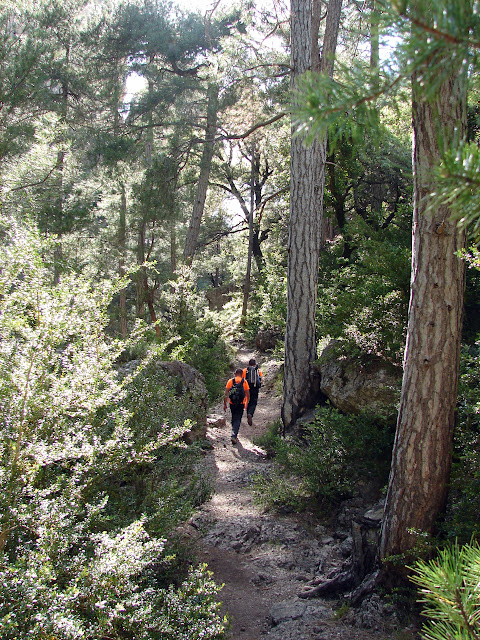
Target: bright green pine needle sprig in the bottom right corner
x=449 y=589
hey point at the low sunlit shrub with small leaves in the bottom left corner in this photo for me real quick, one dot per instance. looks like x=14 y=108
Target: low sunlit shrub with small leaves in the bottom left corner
x=112 y=593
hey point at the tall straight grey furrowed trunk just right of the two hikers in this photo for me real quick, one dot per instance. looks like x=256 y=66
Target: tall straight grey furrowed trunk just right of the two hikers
x=307 y=171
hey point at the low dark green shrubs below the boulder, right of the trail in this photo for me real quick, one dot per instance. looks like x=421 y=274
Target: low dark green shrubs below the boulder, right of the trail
x=321 y=464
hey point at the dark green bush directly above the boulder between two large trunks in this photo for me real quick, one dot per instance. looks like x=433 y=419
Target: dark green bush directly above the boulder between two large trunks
x=365 y=299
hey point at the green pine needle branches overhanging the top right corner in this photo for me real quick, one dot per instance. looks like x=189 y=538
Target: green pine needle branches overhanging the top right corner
x=436 y=41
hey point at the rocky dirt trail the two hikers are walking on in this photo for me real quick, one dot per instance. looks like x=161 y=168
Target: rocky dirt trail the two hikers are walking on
x=265 y=559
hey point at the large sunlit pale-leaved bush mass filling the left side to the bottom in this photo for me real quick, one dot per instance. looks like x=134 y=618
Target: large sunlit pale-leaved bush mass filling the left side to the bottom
x=76 y=560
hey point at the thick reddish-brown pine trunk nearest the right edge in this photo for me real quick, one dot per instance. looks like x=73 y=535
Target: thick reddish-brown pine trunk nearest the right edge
x=422 y=452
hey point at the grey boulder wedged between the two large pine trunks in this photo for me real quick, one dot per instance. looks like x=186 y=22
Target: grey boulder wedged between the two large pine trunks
x=352 y=384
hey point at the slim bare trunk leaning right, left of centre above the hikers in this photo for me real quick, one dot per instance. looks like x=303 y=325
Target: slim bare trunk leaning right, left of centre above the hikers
x=205 y=168
